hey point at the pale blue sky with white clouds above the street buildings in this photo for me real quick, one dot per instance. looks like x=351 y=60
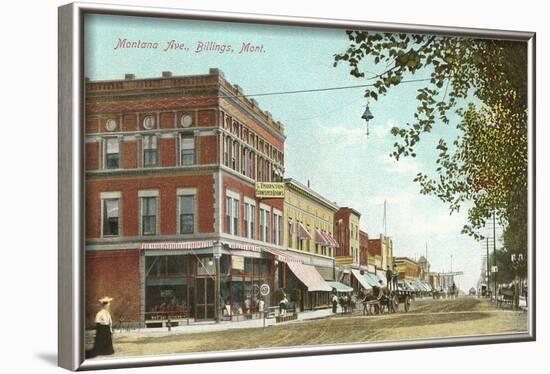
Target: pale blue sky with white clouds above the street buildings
x=326 y=141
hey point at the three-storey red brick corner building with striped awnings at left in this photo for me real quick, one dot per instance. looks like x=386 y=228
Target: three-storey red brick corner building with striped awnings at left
x=173 y=226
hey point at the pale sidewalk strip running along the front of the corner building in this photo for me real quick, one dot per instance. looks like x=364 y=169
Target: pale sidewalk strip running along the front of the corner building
x=197 y=327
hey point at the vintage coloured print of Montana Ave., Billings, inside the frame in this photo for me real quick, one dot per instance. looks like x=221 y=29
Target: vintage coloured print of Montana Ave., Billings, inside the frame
x=267 y=186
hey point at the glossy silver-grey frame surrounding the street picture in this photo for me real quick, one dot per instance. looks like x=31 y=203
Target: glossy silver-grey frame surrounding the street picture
x=72 y=181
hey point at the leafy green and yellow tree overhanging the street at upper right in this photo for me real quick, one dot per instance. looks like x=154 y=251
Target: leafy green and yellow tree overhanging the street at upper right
x=485 y=83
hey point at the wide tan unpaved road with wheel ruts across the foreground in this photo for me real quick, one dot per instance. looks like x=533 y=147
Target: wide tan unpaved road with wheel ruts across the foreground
x=428 y=318
